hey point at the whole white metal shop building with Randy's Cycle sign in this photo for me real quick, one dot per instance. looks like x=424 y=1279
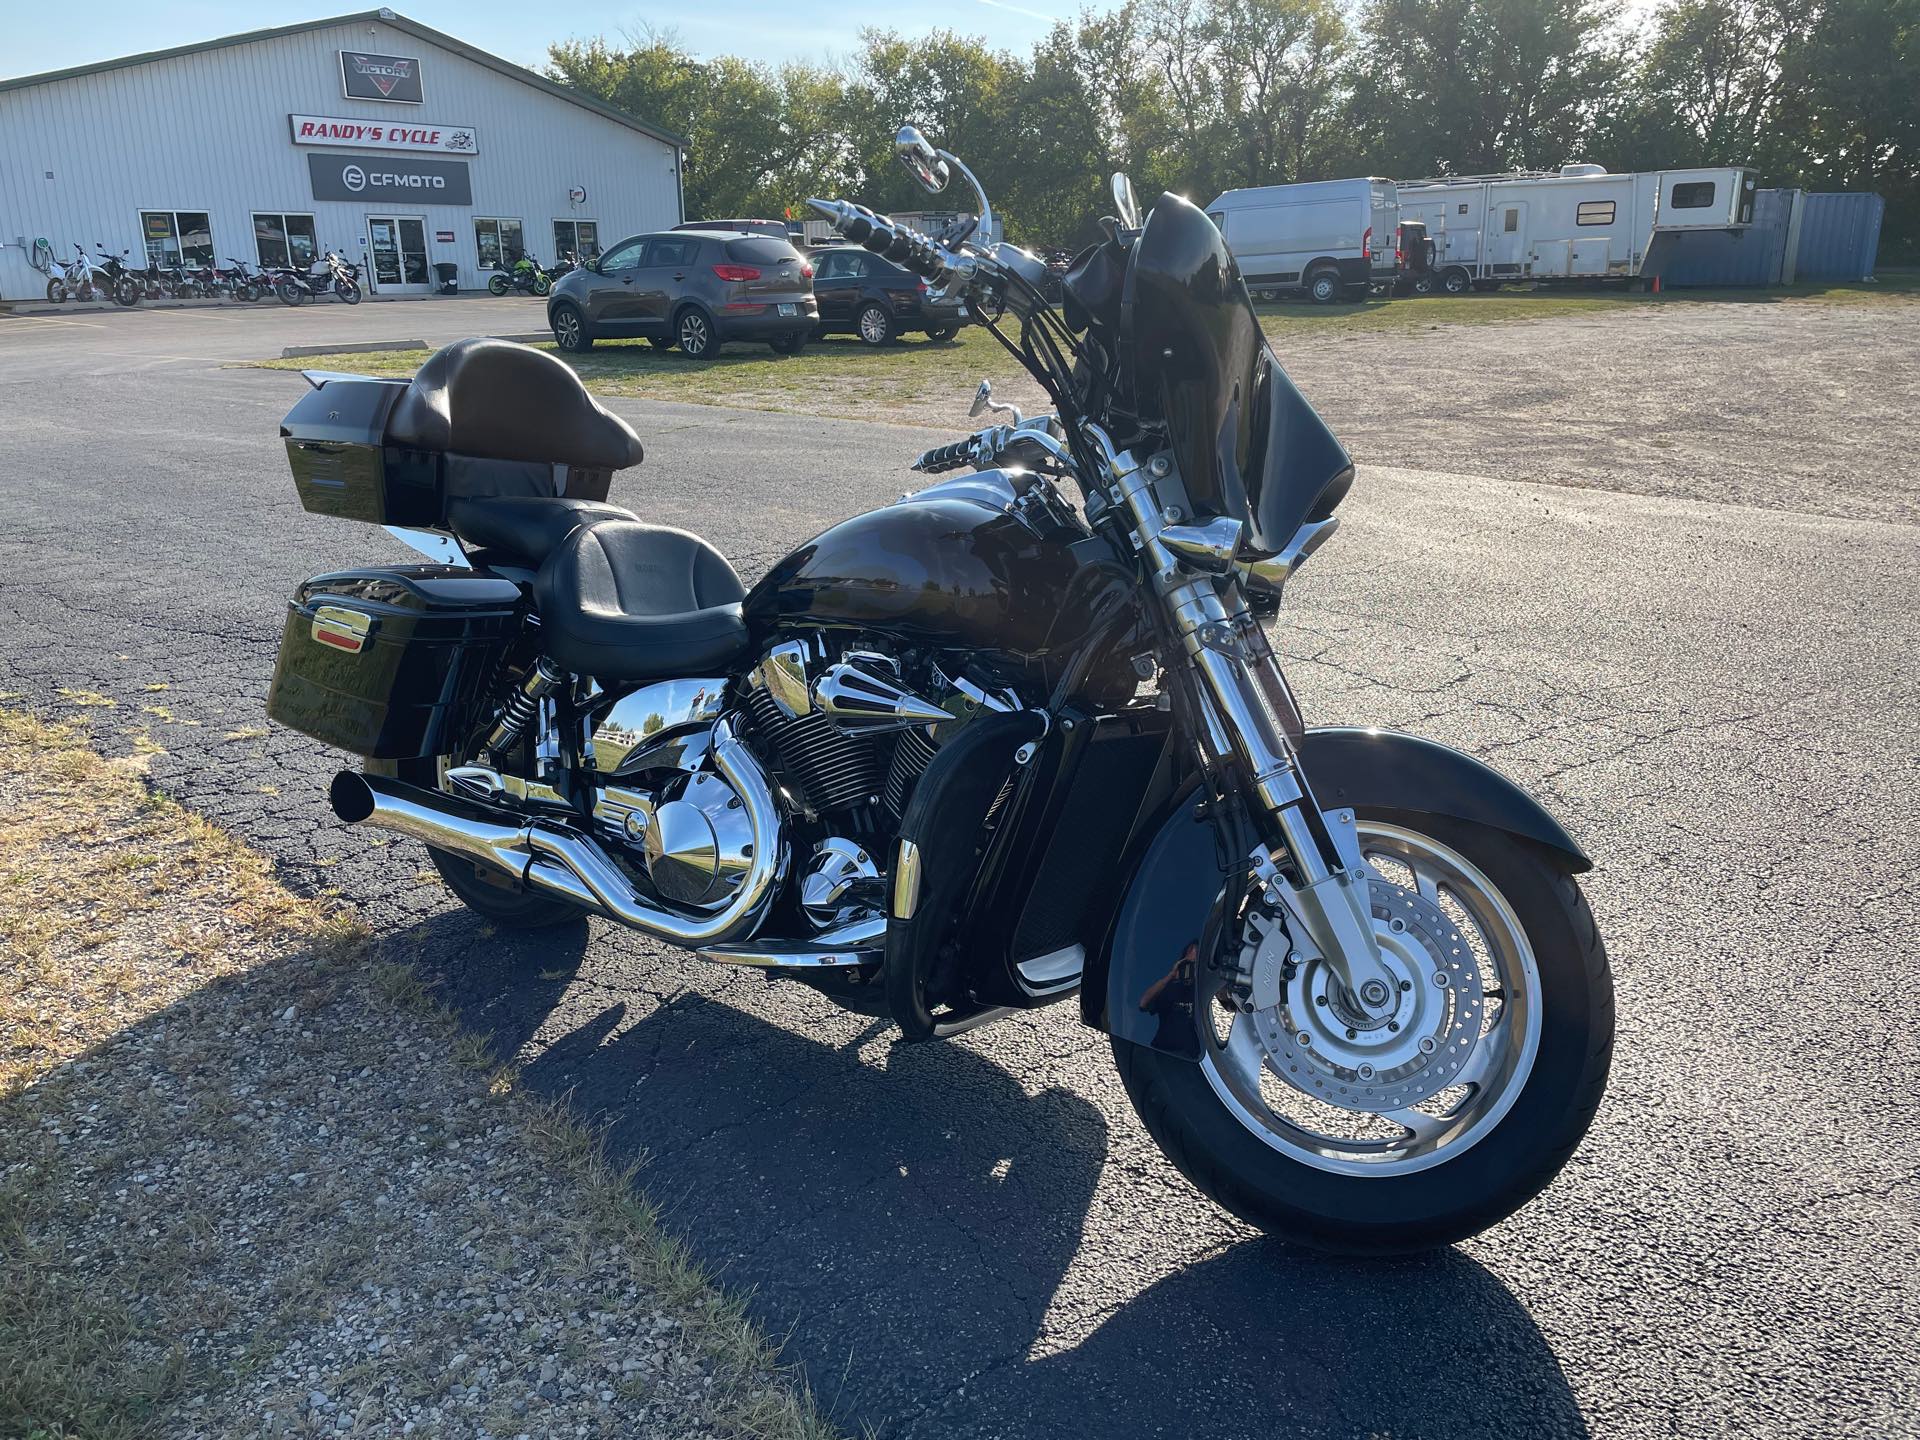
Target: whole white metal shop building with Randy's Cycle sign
x=400 y=147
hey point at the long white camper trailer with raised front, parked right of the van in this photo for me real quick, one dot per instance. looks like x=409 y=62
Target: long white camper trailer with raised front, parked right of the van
x=1570 y=226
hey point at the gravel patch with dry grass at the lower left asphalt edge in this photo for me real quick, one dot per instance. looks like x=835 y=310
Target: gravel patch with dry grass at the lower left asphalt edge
x=256 y=1184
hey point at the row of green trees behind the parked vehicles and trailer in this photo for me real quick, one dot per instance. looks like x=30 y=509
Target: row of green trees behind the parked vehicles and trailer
x=1207 y=95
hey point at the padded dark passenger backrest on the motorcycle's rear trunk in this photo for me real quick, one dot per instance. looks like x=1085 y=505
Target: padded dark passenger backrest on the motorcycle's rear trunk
x=506 y=402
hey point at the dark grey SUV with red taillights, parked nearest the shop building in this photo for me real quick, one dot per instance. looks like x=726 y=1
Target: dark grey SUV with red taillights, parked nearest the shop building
x=690 y=289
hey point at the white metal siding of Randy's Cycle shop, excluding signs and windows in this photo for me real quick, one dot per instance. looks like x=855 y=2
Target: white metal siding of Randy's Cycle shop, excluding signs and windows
x=208 y=132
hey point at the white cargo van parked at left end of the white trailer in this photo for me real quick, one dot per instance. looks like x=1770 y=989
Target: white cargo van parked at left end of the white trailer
x=1330 y=239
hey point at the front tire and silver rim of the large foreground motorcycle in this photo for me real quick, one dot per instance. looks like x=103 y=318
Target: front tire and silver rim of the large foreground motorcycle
x=1264 y=1153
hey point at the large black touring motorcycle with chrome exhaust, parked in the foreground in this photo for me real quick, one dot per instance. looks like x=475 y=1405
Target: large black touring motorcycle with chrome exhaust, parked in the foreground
x=1011 y=740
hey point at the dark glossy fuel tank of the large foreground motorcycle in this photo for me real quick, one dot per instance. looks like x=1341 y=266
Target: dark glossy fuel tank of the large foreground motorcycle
x=940 y=569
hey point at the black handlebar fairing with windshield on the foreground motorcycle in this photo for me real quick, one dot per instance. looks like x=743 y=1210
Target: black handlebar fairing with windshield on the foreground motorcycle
x=1247 y=443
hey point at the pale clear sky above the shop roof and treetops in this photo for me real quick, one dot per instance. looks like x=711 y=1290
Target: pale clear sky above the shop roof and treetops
x=39 y=37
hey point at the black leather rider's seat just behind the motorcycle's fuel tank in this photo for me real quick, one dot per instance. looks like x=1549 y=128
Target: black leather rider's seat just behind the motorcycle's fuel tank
x=638 y=602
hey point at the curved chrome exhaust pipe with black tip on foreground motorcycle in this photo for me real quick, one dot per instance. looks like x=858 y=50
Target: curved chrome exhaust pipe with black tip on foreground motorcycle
x=567 y=863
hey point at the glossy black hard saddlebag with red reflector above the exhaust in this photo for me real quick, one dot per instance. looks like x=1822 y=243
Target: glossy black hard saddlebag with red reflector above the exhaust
x=393 y=663
